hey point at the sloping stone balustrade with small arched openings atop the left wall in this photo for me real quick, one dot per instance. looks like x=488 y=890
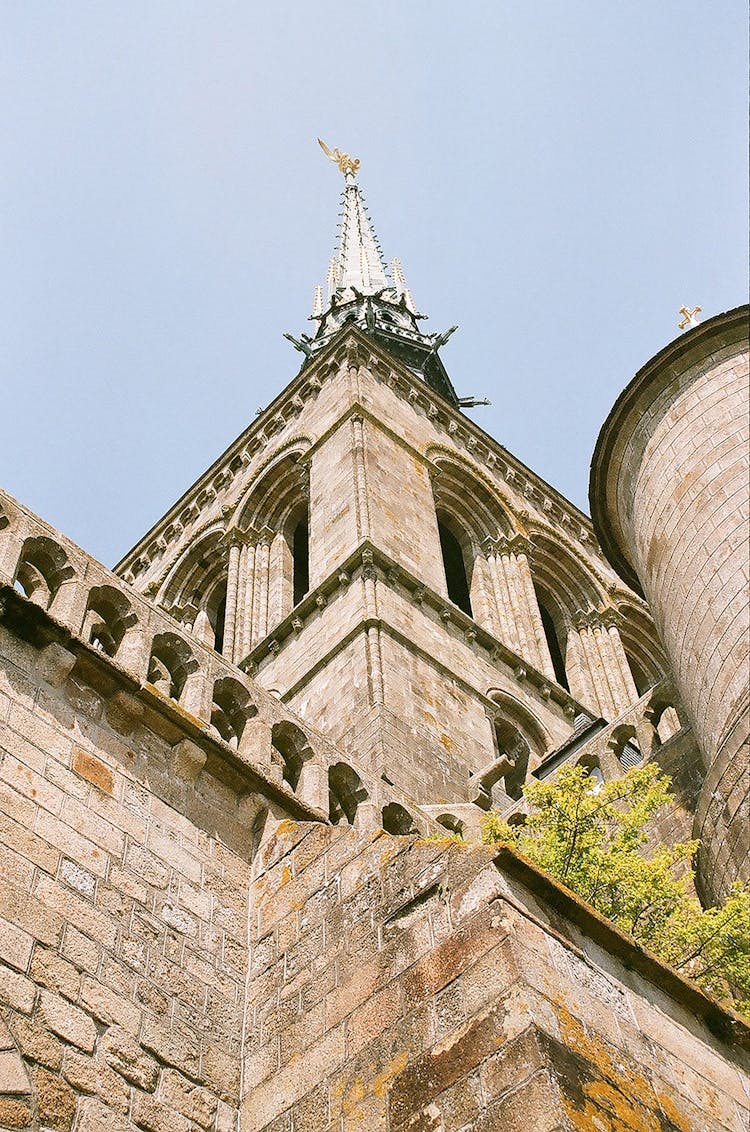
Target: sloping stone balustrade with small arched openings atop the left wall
x=289 y=768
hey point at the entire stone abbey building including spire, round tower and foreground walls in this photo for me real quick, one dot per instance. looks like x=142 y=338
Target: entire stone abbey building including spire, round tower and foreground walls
x=228 y=767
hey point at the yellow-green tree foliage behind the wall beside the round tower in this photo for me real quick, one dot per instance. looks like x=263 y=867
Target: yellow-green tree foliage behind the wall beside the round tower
x=594 y=838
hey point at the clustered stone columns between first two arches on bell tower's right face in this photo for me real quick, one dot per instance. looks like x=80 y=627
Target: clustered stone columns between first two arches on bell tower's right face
x=520 y=622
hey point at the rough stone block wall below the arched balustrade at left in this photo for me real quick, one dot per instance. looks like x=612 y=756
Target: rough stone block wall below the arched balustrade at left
x=123 y=921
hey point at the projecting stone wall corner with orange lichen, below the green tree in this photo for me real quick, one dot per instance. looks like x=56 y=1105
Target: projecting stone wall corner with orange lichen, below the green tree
x=412 y=987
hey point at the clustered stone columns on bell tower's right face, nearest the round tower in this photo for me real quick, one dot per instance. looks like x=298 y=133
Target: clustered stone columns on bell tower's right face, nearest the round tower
x=597 y=664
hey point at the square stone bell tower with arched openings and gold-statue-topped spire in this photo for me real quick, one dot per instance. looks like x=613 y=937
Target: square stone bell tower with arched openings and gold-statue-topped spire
x=389 y=571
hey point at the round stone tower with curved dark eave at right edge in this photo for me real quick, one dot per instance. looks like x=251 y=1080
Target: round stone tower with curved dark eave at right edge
x=670 y=501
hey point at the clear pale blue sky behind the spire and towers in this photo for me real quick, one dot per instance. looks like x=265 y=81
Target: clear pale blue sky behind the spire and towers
x=558 y=178
